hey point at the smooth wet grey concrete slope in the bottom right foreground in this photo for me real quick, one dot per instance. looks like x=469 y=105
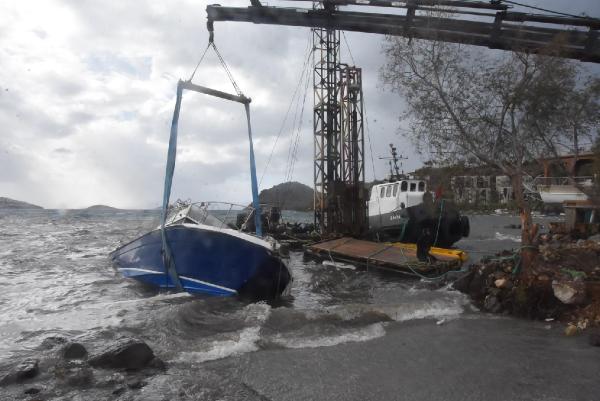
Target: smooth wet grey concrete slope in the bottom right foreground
x=464 y=359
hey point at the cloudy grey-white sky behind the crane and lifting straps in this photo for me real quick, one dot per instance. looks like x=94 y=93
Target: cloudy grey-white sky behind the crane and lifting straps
x=87 y=90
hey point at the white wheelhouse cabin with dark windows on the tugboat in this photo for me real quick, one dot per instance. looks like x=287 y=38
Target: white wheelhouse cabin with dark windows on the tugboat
x=396 y=195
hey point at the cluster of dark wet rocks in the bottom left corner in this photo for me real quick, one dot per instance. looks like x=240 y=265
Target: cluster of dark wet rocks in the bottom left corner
x=60 y=366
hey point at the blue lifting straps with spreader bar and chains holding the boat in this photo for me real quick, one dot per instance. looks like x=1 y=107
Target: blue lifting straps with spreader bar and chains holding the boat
x=168 y=259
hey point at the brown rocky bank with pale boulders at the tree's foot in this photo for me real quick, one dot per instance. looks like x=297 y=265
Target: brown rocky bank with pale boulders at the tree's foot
x=563 y=284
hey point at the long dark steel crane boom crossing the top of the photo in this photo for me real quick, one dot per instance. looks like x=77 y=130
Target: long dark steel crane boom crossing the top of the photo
x=507 y=30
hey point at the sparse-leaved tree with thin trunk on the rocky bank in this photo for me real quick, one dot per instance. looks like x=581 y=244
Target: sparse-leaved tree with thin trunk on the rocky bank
x=505 y=110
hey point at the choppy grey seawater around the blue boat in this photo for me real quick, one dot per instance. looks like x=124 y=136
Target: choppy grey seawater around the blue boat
x=57 y=281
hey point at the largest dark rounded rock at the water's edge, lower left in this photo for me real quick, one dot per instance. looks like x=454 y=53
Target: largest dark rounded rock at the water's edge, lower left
x=126 y=353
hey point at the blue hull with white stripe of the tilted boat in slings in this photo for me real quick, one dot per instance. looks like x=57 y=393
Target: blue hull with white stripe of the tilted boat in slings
x=207 y=261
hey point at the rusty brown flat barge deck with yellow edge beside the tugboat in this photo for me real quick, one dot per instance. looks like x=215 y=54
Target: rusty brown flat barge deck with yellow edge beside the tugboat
x=390 y=256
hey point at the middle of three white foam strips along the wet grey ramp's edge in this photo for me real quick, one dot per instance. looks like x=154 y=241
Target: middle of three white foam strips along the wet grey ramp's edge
x=367 y=333
